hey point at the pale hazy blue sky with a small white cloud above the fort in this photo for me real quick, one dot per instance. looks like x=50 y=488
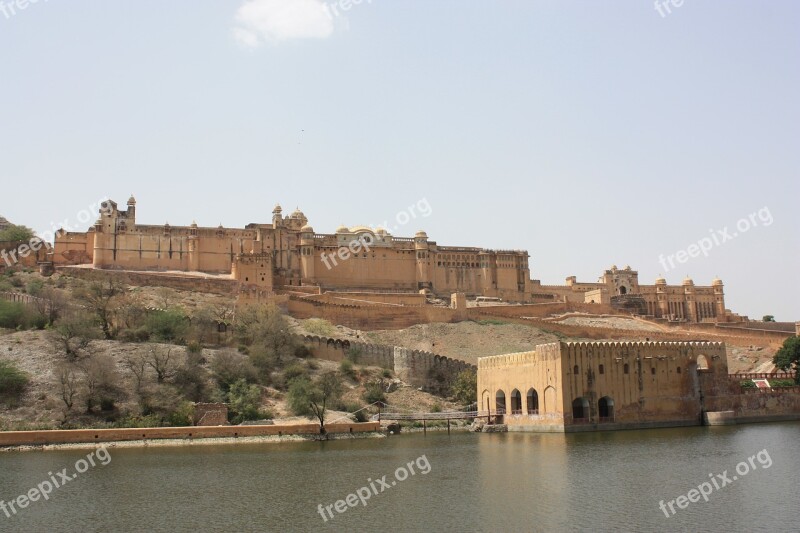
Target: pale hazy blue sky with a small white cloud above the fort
x=588 y=133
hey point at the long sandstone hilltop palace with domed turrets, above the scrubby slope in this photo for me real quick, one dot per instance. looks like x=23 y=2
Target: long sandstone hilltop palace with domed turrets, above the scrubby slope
x=288 y=253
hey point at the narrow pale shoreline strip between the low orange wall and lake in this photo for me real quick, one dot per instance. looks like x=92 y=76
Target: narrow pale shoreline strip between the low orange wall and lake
x=202 y=441
